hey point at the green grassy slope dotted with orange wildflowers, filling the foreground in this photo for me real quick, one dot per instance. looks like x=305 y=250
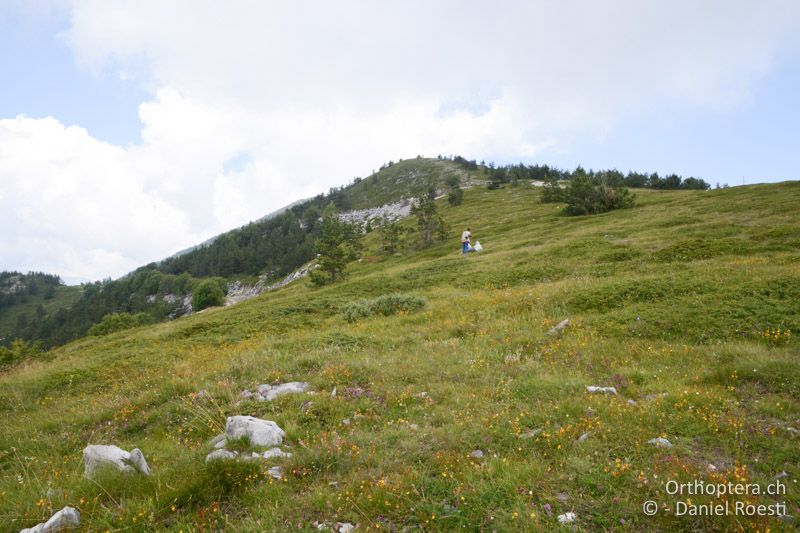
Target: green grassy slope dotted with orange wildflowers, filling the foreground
x=670 y=298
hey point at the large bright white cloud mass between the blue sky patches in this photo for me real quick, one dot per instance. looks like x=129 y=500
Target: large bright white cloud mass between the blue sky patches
x=316 y=93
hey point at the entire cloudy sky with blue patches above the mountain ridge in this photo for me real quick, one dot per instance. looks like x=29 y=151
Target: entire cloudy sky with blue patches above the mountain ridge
x=130 y=130
